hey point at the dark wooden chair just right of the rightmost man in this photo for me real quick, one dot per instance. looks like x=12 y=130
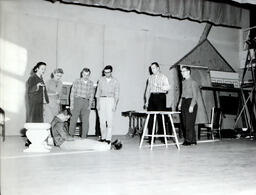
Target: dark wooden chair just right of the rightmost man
x=210 y=129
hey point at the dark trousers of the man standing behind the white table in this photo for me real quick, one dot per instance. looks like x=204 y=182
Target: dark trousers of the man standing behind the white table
x=157 y=102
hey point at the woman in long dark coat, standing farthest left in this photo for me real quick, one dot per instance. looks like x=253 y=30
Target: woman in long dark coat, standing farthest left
x=37 y=94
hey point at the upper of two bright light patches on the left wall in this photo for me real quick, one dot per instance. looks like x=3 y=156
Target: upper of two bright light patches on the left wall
x=14 y=58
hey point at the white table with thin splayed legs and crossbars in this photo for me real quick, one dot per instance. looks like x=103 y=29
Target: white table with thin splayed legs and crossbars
x=162 y=113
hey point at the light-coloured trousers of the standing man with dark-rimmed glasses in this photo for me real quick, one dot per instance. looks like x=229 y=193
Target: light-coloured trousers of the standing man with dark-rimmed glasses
x=106 y=117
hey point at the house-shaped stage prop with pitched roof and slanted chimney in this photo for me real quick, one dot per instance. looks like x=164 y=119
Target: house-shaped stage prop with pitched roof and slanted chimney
x=214 y=75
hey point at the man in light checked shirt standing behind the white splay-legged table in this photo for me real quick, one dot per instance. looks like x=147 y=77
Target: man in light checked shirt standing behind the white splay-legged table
x=157 y=87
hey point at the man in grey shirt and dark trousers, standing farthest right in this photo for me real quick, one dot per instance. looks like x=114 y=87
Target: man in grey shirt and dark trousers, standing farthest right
x=188 y=106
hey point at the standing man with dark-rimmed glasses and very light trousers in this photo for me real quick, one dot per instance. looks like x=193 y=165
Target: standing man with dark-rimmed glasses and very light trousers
x=107 y=98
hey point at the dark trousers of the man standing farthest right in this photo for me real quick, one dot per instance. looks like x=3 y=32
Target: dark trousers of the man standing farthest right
x=188 y=120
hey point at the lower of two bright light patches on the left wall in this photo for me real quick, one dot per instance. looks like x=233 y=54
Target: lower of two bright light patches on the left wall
x=13 y=93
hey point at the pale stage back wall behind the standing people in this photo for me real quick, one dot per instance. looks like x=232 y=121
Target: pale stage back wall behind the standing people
x=72 y=37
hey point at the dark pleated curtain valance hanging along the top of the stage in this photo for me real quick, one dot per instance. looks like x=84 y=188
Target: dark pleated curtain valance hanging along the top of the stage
x=218 y=13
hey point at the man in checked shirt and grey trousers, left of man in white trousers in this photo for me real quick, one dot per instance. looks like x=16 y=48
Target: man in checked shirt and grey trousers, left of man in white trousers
x=81 y=98
